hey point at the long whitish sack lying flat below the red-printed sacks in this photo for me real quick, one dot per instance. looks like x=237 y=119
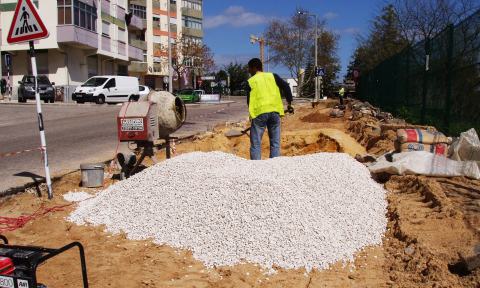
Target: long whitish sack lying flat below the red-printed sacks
x=425 y=163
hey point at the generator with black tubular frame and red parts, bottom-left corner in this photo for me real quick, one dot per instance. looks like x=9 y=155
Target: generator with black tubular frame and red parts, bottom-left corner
x=18 y=264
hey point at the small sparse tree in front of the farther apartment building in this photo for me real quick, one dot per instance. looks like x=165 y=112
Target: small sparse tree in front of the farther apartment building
x=190 y=56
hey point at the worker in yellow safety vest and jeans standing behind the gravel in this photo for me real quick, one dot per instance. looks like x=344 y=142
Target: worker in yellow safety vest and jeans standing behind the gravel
x=265 y=105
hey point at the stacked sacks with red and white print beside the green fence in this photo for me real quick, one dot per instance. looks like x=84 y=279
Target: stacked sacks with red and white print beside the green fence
x=423 y=140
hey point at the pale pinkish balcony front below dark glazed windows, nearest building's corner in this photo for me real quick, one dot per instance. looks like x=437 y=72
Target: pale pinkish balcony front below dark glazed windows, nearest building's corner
x=77 y=36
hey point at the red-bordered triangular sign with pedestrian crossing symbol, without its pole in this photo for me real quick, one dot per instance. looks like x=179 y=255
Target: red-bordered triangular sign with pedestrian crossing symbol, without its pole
x=26 y=24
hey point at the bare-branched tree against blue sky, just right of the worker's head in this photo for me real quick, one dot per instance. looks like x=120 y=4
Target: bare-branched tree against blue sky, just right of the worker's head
x=291 y=43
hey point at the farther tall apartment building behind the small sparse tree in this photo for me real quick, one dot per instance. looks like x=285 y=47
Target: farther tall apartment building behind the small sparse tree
x=185 y=19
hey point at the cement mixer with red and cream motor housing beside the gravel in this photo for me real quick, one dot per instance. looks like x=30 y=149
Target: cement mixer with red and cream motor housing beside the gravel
x=147 y=125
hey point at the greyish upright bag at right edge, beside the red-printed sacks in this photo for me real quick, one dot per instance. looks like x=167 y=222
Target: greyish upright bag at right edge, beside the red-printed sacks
x=467 y=147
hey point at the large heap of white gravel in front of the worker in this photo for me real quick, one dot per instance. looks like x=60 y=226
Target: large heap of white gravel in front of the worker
x=308 y=211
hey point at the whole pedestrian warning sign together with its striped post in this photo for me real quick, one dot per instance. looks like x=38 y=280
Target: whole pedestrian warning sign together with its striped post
x=26 y=27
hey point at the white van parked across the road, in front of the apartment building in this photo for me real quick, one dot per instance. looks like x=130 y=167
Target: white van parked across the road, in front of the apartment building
x=107 y=89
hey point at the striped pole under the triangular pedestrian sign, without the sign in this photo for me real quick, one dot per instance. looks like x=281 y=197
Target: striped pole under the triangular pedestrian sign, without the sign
x=43 y=142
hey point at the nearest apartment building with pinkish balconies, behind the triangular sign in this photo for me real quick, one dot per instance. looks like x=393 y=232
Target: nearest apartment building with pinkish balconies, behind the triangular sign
x=87 y=38
